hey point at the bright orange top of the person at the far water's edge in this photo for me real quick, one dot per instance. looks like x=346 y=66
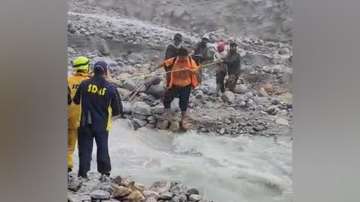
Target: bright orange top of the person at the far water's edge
x=183 y=72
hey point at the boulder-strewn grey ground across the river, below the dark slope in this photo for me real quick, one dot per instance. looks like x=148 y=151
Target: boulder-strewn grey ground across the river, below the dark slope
x=261 y=104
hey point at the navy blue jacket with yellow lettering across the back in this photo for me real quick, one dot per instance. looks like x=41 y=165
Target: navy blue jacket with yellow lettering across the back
x=99 y=101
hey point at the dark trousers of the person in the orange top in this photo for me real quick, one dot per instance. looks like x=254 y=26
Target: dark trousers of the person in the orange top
x=182 y=92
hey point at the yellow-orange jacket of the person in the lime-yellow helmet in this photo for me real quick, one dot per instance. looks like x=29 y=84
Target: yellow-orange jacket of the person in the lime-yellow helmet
x=73 y=109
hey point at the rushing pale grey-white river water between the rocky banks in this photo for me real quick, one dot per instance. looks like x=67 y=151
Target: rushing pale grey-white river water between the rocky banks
x=224 y=169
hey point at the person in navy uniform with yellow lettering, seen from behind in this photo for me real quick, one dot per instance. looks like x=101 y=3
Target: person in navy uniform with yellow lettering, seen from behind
x=99 y=101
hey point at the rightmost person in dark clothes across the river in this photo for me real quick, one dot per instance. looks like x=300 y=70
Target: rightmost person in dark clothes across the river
x=232 y=62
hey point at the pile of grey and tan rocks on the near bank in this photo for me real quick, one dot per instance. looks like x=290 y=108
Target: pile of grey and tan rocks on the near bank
x=125 y=190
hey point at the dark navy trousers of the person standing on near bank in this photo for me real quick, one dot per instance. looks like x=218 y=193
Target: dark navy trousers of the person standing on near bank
x=85 y=144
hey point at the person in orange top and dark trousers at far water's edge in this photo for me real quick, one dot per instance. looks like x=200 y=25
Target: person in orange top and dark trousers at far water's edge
x=183 y=78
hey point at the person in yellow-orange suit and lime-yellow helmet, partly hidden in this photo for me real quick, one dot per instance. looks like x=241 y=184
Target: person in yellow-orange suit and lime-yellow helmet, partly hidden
x=81 y=66
